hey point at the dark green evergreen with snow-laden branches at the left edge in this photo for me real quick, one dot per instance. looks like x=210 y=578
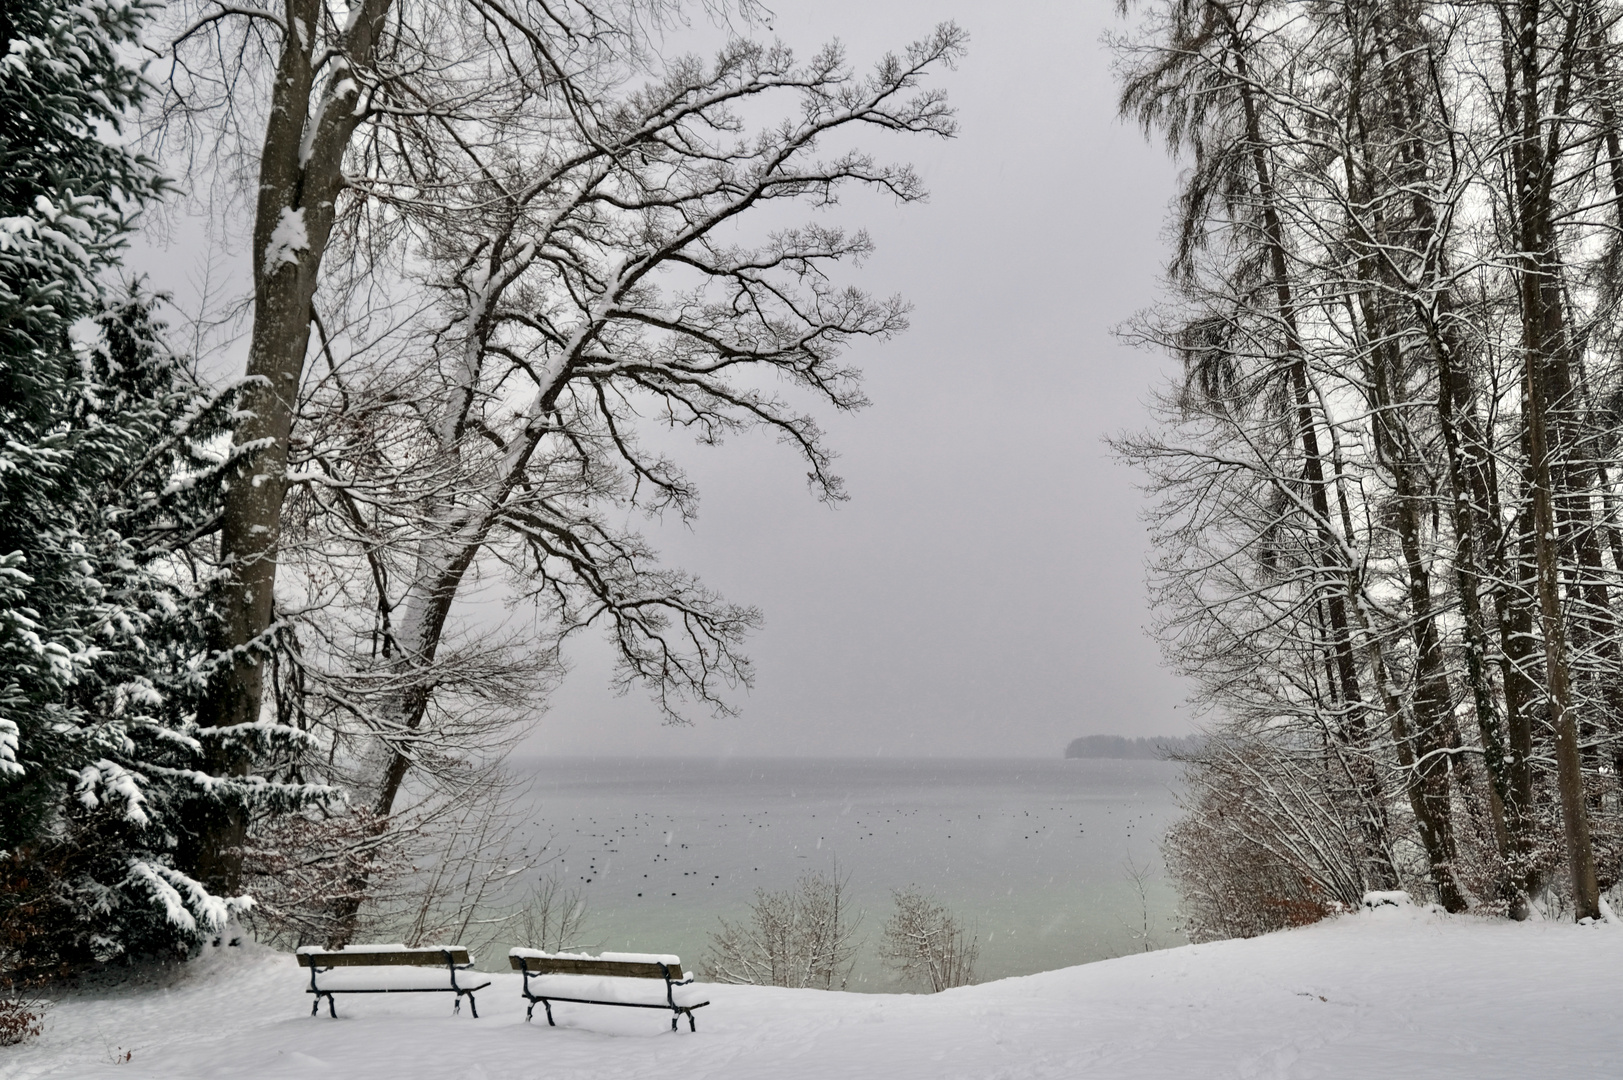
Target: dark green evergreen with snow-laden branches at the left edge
x=110 y=464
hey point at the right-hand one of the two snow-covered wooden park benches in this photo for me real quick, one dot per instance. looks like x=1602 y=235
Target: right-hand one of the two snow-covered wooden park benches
x=609 y=980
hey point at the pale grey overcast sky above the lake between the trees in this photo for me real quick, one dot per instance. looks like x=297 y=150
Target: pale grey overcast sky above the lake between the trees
x=983 y=590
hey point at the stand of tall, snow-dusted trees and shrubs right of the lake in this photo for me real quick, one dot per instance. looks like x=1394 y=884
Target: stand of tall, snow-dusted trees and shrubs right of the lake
x=1387 y=482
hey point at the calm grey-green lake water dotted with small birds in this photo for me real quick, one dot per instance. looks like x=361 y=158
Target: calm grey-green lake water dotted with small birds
x=1030 y=852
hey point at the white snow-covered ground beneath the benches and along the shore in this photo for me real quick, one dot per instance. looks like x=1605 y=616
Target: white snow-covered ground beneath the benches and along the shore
x=1390 y=993
